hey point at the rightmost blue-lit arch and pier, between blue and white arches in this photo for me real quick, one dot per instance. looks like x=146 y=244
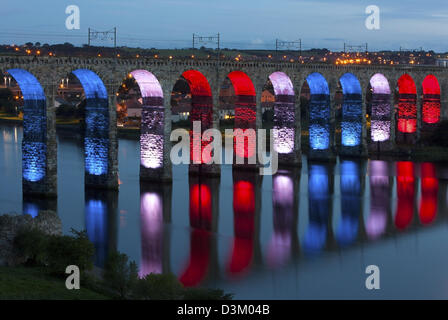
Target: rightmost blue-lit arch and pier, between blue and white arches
x=351 y=125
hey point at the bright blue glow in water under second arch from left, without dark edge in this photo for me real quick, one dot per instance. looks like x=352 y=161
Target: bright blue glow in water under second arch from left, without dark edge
x=96 y=226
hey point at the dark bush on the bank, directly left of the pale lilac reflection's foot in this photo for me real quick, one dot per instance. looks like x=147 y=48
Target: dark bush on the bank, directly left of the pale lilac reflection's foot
x=119 y=274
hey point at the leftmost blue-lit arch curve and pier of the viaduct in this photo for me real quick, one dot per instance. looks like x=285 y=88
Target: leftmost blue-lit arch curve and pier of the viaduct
x=34 y=147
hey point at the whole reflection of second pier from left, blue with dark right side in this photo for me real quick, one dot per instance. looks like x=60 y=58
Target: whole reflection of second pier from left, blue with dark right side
x=101 y=222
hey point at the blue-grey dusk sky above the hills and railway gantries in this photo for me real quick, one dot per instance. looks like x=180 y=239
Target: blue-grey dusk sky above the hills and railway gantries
x=242 y=23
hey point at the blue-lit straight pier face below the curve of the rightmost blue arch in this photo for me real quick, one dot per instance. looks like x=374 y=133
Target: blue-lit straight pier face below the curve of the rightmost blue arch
x=351 y=125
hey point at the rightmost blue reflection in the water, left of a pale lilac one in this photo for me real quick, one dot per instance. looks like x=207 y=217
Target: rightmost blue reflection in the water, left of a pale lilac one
x=350 y=202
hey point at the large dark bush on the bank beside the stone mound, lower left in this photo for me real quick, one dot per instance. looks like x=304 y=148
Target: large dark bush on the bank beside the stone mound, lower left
x=70 y=250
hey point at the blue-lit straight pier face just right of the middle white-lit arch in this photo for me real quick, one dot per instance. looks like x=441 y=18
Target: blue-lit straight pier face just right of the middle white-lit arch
x=319 y=127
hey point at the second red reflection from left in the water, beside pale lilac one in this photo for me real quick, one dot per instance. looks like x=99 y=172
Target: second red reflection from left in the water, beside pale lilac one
x=244 y=224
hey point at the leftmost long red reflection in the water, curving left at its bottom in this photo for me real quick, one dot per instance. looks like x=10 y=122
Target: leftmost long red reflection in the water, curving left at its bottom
x=201 y=220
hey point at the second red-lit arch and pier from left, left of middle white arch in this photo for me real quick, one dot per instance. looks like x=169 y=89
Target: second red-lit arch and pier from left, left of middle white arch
x=245 y=111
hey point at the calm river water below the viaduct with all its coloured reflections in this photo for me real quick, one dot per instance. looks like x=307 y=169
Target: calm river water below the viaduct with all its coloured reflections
x=308 y=234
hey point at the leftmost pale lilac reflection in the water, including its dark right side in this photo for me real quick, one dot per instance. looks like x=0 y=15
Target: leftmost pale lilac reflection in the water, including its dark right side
x=155 y=210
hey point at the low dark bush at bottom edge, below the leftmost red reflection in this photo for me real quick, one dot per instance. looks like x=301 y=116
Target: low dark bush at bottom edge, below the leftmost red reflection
x=159 y=287
